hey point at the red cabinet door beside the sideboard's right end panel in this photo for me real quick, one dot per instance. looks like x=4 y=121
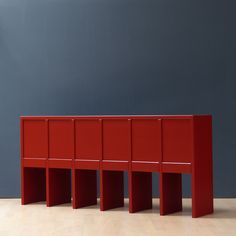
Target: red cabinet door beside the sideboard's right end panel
x=177 y=140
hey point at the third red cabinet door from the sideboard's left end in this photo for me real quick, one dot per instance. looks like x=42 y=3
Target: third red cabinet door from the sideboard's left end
x=88 y=139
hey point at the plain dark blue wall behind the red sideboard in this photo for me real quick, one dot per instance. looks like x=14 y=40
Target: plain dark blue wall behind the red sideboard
x=63 y=57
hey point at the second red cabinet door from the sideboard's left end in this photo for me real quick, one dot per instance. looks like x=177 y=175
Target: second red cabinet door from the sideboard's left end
x=61 y=141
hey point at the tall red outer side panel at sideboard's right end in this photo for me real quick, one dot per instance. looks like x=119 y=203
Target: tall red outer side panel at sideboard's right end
x=202 y=173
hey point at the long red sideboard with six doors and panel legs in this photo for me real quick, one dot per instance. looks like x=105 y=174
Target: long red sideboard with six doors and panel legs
x=60 y=157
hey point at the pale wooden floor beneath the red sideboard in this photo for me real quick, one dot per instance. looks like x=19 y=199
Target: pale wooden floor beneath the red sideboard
x=36 y=219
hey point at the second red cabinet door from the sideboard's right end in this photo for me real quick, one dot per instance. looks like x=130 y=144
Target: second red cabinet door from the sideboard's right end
x=146 y=140
